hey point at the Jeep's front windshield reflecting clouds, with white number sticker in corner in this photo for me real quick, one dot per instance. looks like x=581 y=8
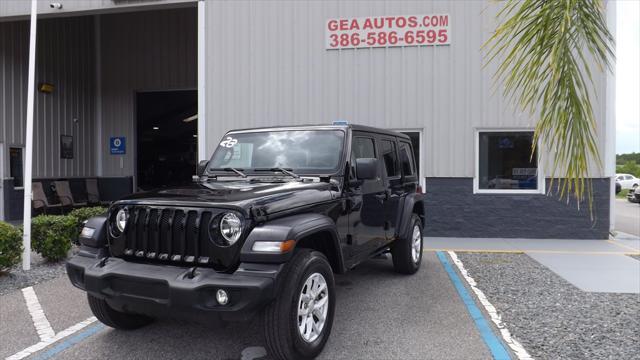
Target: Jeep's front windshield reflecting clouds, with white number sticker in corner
x=302 y=151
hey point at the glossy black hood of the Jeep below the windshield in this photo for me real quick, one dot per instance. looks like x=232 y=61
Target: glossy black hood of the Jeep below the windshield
x=243 y=194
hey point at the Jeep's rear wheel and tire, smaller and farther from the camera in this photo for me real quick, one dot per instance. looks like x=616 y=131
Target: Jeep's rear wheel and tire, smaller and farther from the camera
x=406 y=253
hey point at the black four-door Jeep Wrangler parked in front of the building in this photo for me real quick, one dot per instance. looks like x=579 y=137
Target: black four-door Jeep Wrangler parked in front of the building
x=269 y=219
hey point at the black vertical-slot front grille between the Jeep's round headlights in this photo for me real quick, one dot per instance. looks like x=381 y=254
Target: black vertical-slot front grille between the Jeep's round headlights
x=171 y=235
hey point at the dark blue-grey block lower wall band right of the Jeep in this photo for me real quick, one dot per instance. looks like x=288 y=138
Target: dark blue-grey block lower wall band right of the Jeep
x=453 y=210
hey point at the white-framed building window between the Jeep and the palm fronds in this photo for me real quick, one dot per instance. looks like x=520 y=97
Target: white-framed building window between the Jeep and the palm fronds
x=505 y=163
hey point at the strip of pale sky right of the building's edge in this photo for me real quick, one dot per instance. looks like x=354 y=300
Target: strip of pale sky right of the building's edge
x=627 y=76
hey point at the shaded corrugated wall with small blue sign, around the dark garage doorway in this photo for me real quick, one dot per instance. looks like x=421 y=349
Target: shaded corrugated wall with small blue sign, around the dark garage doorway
x=142 y=51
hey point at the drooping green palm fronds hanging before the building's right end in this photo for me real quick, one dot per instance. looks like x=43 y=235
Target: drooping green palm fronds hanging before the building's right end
x=547 y=49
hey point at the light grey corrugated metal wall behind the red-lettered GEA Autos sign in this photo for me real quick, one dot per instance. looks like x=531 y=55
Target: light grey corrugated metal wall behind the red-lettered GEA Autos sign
x=267 y=65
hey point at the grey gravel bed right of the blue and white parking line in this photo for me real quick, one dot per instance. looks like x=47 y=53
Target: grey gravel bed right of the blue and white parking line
x=552 y=318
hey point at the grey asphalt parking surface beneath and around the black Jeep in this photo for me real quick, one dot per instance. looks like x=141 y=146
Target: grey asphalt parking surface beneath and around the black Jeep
x=380 y=315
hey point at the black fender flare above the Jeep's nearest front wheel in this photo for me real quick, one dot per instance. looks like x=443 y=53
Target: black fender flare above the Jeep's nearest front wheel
x=293 y=227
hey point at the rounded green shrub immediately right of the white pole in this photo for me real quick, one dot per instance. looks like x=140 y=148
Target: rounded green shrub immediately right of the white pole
x=52 y=235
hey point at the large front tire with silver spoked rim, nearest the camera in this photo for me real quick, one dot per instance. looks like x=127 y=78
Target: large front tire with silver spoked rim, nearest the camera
x=284 y=338
